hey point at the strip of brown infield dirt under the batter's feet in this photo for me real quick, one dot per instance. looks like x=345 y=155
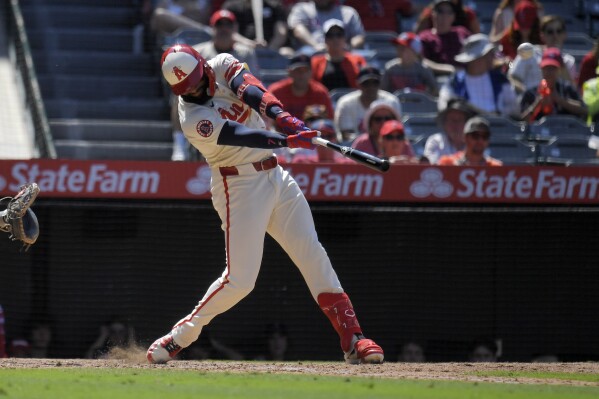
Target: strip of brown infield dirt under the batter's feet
x=420 y=371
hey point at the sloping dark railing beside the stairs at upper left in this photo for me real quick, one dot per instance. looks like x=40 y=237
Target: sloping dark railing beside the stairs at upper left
x=21 y=55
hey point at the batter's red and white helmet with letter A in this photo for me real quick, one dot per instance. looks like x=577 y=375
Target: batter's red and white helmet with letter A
x=183 y=68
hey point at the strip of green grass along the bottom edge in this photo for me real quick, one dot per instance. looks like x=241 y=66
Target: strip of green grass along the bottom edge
x=70 y=383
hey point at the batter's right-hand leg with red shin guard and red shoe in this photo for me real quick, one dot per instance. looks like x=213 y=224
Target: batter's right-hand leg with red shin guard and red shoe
x=292 y=226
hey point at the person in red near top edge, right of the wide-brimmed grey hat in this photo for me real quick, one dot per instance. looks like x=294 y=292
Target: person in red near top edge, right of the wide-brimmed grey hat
x=525 y=28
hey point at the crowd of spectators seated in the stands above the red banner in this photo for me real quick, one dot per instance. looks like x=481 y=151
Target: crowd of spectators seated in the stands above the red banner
x=519 y=70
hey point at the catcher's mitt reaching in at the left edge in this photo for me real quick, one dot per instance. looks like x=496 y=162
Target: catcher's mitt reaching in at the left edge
x=18 y=219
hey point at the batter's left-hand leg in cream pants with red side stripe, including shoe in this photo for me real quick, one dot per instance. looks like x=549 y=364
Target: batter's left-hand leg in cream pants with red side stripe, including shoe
x=244 y=205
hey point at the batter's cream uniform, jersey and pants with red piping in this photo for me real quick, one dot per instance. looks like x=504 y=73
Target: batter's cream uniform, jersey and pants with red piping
x=250 y=204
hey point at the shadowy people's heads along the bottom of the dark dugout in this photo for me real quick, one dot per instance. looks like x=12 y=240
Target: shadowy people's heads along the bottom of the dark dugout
x=272 y=343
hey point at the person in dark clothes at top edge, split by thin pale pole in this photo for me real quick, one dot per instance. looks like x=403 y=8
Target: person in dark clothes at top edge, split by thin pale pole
x=274 y=19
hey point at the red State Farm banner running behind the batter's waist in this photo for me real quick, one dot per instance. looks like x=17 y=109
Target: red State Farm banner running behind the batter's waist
x=320 y=182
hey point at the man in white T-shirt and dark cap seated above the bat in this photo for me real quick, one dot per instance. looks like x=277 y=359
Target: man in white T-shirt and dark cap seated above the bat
x=351 y=108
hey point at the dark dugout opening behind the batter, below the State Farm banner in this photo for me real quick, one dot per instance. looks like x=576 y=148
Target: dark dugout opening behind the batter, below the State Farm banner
x=442 y=275
